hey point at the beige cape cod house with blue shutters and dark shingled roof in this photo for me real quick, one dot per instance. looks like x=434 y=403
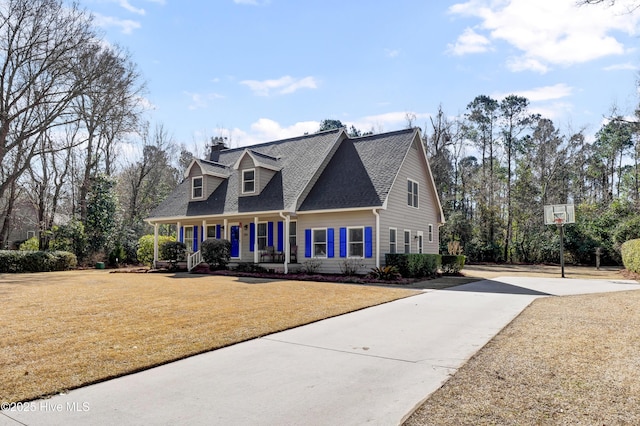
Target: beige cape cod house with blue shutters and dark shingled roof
x=325 y=196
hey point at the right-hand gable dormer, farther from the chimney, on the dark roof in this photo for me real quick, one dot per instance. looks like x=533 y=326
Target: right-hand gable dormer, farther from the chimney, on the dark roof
x=255 y=170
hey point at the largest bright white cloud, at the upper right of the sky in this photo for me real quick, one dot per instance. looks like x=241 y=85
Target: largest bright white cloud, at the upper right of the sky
x=547 y=32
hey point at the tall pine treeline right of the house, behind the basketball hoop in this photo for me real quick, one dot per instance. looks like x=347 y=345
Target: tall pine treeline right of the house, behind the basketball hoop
x=497 y=165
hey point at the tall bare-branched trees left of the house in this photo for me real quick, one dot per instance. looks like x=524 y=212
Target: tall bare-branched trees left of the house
x=70 y=104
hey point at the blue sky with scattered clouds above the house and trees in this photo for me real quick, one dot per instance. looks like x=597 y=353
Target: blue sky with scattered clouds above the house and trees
x=260 y=70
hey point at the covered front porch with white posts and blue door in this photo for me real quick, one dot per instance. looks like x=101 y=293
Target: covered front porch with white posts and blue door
x=269 y=240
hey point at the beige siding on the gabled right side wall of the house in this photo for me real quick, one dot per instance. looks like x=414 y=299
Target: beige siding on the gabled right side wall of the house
x=401 y=216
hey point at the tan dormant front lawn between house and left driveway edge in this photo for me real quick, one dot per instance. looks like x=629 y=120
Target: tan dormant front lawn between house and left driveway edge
x=63 y=330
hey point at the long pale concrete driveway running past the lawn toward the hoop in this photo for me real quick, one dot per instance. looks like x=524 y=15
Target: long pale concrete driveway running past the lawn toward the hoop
x=372 y=366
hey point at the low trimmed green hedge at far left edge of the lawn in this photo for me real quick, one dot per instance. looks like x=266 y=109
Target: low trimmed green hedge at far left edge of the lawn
x=13 y=261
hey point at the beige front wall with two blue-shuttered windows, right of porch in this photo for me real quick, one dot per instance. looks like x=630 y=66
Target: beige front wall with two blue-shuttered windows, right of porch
x=336 y=221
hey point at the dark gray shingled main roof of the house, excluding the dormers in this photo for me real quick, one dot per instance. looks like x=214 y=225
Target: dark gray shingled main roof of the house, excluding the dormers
x=322 y=171
